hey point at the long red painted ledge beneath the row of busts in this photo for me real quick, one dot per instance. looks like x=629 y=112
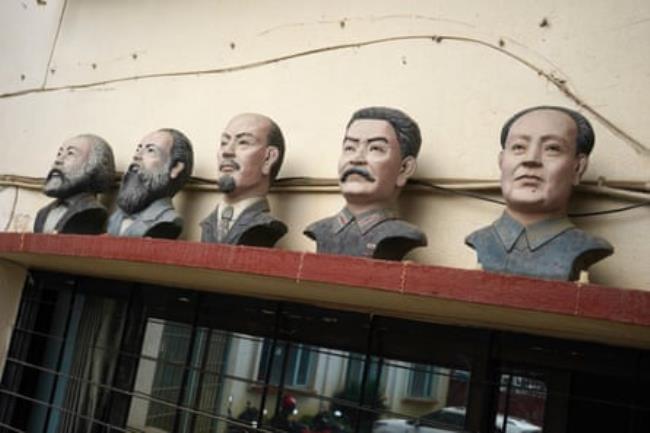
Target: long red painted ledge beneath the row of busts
x=624 y=306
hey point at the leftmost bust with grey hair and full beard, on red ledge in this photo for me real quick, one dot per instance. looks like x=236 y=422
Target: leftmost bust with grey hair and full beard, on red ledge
x=84 y=166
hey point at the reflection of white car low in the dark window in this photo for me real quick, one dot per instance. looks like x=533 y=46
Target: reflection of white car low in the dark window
x=448 y=419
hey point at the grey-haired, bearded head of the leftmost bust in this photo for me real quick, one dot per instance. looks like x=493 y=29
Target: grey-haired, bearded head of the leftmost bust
x=83 y=163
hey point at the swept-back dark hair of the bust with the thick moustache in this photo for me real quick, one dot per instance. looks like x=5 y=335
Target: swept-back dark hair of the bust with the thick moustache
x=406 y=129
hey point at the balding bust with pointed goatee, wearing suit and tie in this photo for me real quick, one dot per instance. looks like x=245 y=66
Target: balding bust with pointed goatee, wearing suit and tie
x=249 y=157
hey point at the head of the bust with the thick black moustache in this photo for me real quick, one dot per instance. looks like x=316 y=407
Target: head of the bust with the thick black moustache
x=378 y=157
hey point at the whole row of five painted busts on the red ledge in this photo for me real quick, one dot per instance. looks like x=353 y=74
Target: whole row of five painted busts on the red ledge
x=544 y=152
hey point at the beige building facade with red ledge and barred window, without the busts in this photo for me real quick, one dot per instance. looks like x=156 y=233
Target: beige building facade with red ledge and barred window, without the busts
x=109 y=334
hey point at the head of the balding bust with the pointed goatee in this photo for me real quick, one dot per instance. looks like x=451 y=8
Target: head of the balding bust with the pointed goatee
x=249 y=156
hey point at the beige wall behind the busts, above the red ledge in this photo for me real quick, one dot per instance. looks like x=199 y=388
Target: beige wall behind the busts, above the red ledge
x=460 y=90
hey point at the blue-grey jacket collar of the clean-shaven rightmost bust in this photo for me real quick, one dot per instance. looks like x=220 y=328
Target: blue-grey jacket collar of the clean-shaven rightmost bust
x=538 y=234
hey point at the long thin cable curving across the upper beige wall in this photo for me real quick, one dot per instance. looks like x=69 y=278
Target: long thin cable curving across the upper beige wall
x=560 y=83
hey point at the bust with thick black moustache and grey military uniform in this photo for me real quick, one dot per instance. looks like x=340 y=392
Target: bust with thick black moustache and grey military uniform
x=378 y=157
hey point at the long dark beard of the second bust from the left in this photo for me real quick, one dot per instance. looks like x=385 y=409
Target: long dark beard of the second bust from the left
x=141 y=188
